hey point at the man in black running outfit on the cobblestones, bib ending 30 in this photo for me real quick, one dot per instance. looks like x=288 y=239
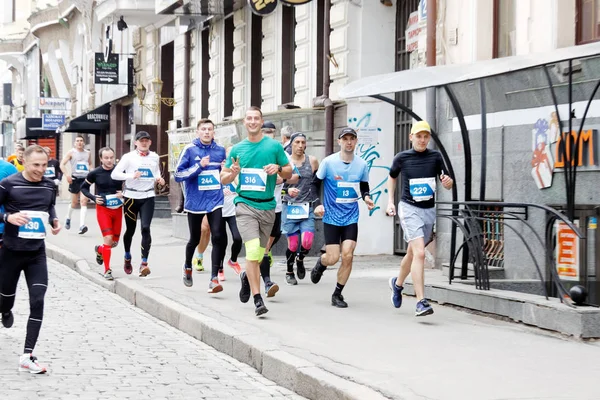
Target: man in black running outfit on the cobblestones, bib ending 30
x=28 y=199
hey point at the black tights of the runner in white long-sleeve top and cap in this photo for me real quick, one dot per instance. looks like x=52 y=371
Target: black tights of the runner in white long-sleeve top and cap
x=145 y=209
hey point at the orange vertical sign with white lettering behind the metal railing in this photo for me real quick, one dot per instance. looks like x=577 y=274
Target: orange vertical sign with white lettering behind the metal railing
x=567 y=252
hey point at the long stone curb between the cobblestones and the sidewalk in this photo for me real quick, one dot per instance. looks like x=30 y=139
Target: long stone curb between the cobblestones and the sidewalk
x=294 y=373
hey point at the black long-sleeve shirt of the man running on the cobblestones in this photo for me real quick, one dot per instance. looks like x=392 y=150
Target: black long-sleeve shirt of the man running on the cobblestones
x=18 y=194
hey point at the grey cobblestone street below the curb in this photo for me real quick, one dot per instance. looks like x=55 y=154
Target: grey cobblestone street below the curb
x=97 y=346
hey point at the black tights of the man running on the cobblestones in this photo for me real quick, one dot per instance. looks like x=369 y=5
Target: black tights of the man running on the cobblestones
x=33 y=264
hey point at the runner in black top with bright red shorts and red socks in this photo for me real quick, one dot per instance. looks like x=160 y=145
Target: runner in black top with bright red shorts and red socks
x=109 y=212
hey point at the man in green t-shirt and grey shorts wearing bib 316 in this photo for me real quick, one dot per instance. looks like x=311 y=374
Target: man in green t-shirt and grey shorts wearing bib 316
x=257 y=160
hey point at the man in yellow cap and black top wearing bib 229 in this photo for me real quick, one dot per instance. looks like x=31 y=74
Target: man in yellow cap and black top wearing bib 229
x=419 y=167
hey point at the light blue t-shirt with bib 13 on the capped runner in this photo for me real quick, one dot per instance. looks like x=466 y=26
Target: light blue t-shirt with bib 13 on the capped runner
x=342 y=188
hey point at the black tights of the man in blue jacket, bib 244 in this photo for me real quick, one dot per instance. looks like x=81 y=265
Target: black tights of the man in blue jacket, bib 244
x=218 y=238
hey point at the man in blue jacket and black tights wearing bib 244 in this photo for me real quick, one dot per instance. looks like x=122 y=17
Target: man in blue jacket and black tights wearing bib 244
x=199 y=169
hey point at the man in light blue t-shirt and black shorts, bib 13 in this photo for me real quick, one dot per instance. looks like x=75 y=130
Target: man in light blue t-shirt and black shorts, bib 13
x=346 y=180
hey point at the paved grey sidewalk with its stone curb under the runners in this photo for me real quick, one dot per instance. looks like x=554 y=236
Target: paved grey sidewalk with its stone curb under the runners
x=305 y=344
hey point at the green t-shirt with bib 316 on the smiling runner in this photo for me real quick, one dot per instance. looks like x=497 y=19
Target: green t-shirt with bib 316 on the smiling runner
x=254 y=183
